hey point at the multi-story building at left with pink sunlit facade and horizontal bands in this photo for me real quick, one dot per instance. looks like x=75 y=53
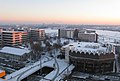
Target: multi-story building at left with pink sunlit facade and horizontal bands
x=13 y=38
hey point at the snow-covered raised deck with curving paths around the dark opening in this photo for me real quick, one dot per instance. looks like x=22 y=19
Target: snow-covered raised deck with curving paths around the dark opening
x=58 y=69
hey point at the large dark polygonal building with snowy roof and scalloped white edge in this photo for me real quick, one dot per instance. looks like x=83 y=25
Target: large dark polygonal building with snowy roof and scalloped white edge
x=90 y=57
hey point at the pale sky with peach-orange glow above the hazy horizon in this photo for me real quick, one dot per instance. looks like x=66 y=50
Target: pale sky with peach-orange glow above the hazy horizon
x=60 y=11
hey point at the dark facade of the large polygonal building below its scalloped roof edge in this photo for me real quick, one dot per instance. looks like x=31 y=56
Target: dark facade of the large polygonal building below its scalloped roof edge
x=92 y=63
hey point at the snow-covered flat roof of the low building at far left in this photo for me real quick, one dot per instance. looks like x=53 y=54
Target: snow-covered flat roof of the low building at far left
x=14 y=51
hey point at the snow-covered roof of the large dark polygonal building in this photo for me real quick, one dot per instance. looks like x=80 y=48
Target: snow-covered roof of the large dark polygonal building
x=89 y=47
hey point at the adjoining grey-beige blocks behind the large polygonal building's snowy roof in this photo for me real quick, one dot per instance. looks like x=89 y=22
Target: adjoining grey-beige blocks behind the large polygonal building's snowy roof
x=82 y=35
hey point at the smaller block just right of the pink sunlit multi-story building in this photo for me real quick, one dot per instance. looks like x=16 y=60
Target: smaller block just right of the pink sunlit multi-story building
x=36 y=34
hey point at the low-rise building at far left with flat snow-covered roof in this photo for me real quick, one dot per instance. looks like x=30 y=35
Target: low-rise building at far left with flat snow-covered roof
x=12 y=53
